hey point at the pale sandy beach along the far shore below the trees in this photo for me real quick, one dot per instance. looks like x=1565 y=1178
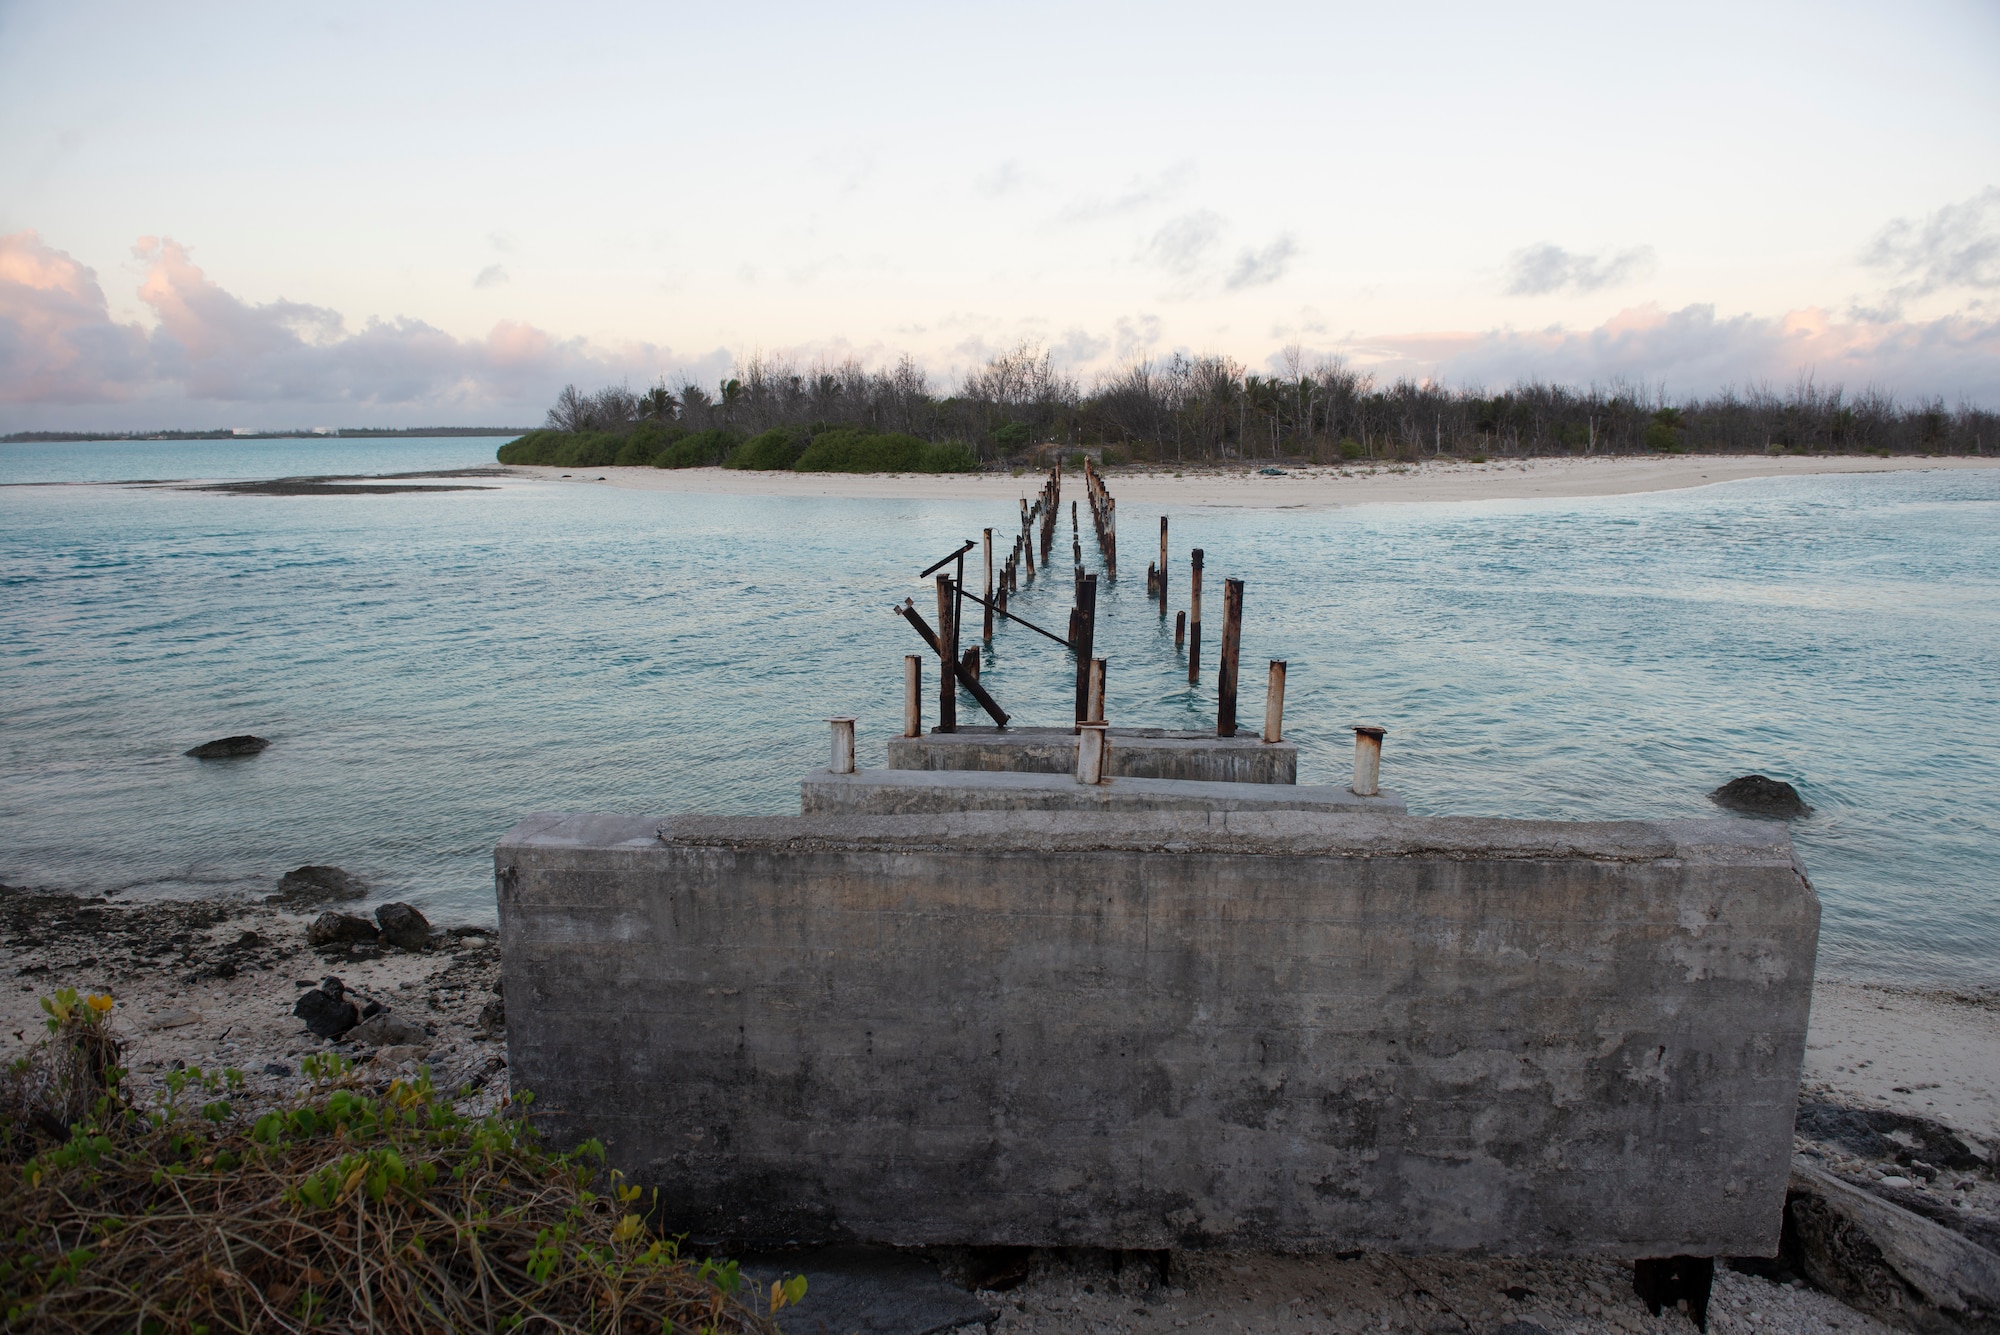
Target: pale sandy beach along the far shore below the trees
x=1295 y=489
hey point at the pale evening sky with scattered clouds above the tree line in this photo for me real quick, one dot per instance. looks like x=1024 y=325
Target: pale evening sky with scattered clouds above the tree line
x=369 y=215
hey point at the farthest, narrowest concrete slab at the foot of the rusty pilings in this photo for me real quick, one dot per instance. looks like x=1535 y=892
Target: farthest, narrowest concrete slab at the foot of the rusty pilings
x=1135 y=754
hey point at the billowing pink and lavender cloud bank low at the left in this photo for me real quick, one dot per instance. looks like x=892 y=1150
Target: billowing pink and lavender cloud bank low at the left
x=61 y=347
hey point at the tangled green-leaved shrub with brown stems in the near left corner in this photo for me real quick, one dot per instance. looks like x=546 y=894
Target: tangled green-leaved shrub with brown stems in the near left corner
x=347 y=1206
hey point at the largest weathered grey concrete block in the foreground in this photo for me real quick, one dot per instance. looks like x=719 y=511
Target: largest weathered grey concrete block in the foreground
x=1173 y=1030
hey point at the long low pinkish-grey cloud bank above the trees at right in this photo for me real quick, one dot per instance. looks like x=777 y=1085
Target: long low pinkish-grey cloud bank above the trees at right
x=1695 y=351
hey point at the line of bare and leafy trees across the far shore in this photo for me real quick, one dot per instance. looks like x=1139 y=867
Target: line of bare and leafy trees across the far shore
x=1215 y=411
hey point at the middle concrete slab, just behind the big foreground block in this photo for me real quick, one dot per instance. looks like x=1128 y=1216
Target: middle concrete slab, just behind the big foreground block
x=927 y=792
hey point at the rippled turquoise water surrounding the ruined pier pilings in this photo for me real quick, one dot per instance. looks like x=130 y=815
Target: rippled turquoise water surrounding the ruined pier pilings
x=431 y=668
